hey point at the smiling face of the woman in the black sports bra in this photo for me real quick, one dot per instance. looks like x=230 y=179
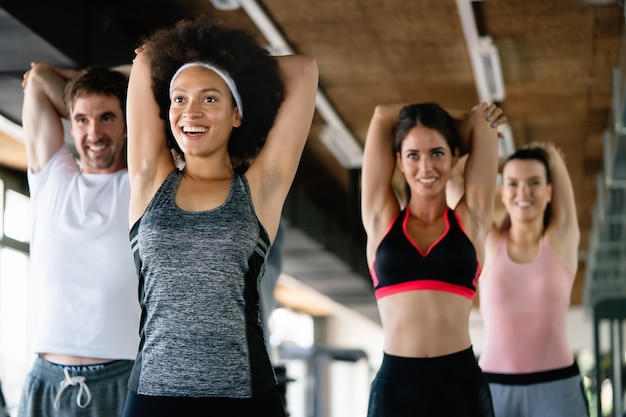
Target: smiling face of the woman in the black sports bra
x=426 y=161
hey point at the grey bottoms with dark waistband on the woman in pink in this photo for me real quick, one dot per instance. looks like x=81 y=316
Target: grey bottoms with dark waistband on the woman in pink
x=554 y=393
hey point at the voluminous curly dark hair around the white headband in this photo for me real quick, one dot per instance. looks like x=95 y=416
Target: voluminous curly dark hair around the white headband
x=254 y=71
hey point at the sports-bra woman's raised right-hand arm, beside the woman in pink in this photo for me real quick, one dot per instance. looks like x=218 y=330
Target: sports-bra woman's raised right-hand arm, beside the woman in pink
x=476 y=206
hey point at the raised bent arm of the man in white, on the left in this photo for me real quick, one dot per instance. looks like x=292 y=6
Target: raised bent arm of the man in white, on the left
x=42 y=111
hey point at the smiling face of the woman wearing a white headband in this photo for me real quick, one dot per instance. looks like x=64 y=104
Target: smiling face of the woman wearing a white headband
x=202 y=114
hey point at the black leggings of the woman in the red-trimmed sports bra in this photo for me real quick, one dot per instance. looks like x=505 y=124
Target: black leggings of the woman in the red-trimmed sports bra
x=445 y=386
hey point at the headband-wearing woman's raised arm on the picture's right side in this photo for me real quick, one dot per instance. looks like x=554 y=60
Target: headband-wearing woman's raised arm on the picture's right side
x=273 y=170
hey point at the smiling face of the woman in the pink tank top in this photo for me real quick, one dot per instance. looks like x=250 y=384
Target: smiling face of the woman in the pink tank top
x=525 y=190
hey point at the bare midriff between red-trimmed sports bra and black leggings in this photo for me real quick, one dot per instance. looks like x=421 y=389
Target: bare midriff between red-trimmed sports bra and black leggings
x=425 y=324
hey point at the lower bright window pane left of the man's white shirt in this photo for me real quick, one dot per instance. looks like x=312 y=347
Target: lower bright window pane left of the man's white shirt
x=15 y=325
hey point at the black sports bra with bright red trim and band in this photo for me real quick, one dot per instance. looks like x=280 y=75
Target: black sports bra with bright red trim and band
x=450 y=263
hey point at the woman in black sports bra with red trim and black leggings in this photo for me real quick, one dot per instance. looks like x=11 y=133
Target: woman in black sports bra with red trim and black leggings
x=425 y=257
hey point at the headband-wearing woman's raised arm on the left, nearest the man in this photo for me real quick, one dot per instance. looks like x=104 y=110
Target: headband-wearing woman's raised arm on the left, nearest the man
x=149 y=158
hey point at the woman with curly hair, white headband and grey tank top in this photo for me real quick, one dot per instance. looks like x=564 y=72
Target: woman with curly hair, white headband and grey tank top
x=201 y=230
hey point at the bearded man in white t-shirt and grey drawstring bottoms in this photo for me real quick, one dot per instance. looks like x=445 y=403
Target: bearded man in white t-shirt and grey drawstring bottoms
x=87 y=308
